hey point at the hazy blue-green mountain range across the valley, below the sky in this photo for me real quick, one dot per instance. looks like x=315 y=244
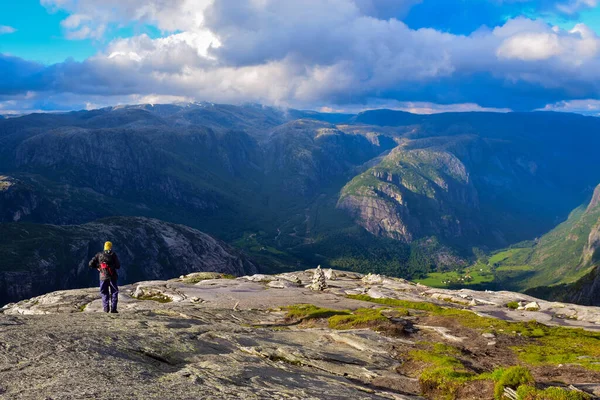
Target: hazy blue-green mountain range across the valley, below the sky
x=383 y=191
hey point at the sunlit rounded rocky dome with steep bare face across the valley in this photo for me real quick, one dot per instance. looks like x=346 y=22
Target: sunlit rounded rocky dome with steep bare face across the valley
x=413 y=194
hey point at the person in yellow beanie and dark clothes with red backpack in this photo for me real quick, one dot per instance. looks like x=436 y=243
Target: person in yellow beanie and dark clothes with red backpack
x=107 y=263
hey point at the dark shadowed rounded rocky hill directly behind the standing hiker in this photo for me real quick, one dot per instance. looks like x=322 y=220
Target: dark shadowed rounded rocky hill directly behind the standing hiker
x=36 y=259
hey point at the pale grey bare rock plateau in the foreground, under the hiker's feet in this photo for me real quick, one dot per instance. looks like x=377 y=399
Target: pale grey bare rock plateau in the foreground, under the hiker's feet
x=201 y=337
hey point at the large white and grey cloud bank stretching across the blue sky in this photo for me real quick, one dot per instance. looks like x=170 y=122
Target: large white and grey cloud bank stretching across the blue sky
x=314 y=52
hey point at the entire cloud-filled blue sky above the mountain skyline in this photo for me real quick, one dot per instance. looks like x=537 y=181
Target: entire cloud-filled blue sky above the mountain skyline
x=347 y=55
